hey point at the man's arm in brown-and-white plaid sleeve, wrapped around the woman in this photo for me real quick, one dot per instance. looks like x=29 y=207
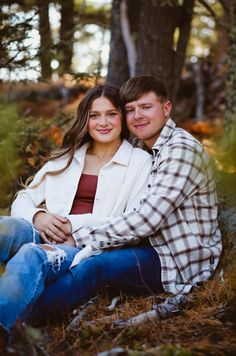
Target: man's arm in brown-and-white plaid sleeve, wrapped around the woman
x=180 y=173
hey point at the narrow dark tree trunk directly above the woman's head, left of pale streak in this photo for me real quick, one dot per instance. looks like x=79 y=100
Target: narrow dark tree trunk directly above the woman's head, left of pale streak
x=118 y=69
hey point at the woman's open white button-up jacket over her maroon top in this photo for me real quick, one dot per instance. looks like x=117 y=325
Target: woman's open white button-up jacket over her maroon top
x=120 y=185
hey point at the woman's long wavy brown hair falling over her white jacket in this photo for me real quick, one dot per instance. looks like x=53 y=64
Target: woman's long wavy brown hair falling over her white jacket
x=77 y=134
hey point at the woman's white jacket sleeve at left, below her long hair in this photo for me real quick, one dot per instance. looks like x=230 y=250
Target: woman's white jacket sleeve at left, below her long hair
x=27 y=201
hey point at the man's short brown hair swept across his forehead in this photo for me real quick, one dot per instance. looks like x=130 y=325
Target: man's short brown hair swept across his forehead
x=135 y=87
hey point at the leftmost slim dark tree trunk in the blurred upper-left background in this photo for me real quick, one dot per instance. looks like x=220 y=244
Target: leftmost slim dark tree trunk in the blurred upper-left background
x=45 y=39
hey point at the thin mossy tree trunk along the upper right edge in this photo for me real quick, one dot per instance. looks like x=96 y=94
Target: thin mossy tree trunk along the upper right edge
x=230 y=115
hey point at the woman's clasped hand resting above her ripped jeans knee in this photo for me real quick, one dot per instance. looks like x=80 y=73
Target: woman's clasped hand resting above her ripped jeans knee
x=52 y=227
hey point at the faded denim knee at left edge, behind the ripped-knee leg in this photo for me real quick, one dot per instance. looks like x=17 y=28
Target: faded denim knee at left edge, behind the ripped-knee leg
x=13 y=234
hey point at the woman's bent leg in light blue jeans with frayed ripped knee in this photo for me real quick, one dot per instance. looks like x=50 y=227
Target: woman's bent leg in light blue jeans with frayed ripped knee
x=25 y=276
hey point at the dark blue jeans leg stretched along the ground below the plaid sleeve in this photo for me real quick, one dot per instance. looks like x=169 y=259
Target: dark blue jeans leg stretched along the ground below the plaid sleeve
x=132 y=270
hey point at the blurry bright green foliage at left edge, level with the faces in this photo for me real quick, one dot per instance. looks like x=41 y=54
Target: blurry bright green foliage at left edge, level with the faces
x=10 y=126
